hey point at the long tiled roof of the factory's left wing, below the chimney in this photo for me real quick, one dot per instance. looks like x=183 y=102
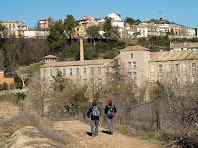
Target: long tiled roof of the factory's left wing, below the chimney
x=76 y=63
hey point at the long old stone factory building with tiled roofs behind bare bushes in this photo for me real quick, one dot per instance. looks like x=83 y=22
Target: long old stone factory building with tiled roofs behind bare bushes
x=137 y=63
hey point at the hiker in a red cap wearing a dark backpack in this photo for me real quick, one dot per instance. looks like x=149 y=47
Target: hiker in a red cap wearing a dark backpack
x=110 y=111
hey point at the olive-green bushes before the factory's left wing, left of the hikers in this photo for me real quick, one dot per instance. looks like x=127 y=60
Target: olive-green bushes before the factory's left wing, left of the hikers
x=68 y=94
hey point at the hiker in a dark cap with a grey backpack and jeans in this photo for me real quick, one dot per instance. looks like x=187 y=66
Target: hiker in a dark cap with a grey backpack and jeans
x=95 y=113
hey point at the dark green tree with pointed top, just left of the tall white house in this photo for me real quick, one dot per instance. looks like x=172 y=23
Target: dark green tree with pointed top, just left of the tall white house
x=111 y=32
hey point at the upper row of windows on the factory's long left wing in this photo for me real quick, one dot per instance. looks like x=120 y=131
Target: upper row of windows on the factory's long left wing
x=78 y=71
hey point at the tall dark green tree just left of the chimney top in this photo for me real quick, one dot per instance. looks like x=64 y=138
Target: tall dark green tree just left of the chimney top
x=69 y=24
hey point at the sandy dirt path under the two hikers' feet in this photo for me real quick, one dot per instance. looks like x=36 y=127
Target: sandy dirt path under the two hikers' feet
x=78 y=133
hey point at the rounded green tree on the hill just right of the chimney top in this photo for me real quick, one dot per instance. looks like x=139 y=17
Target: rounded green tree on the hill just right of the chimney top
x=93 y=32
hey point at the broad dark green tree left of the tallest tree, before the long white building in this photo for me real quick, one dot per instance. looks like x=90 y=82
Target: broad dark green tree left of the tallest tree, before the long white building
x=56 y=37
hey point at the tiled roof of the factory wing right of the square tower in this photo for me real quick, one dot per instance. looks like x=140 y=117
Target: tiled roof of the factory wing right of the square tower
x=174 y=55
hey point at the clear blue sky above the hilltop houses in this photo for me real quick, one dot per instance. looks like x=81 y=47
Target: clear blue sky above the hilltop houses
x=183 y=12
